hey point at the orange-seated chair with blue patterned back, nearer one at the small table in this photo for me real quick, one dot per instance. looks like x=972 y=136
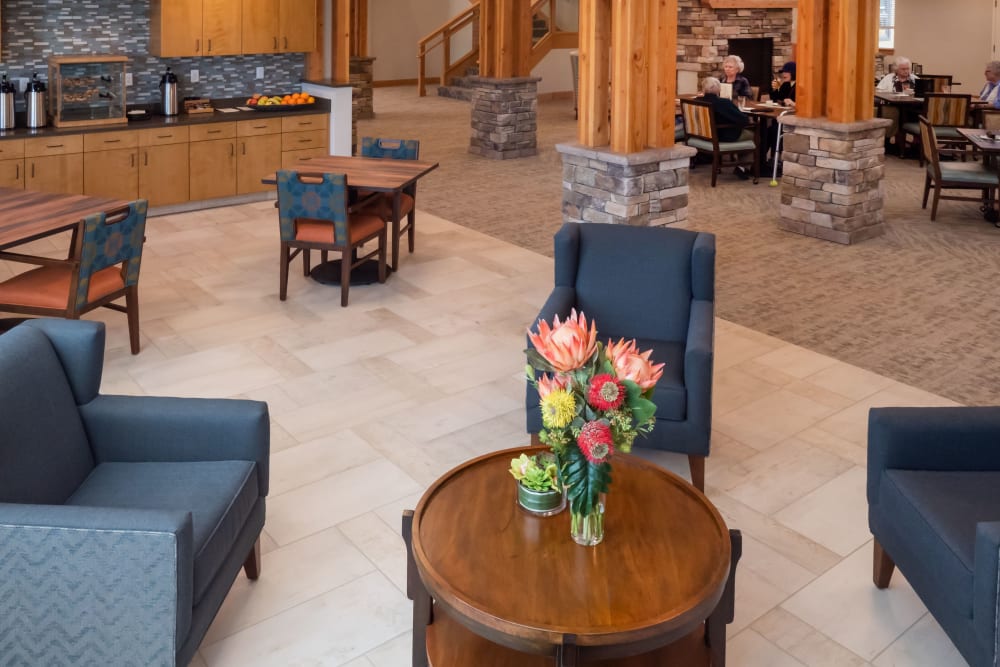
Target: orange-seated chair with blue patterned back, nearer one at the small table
x=313 y=215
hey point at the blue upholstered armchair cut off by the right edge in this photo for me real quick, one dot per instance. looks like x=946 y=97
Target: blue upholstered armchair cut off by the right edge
x=934 y=509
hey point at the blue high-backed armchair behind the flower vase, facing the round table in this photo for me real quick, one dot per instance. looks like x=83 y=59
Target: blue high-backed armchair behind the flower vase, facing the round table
x=656 y=285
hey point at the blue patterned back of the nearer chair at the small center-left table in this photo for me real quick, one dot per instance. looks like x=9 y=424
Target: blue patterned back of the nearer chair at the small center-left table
x=306 y=197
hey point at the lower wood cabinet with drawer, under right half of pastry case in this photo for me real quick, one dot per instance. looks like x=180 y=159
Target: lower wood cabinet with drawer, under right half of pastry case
x=110 y=167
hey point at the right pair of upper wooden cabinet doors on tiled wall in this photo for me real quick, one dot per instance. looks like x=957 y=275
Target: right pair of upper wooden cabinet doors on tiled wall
x=279 y=26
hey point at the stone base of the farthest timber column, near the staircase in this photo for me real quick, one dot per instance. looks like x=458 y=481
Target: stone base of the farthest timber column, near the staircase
x=504 y=114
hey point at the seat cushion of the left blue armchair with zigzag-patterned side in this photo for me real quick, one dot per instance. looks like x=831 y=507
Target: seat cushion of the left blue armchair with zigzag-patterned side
x=220 y=496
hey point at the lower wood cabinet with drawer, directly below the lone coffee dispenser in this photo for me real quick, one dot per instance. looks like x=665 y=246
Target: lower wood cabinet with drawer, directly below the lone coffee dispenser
x=164 y=166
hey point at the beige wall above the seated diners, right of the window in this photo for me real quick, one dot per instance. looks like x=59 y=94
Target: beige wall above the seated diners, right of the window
x=947 y=38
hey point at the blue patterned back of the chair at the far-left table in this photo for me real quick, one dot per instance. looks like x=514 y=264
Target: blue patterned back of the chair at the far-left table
x=108 y=239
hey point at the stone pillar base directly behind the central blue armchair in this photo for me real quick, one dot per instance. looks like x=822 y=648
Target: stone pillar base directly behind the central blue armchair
x=644 y=189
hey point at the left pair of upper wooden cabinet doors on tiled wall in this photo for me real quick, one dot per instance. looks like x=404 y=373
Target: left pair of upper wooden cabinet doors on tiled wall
x=195 y=28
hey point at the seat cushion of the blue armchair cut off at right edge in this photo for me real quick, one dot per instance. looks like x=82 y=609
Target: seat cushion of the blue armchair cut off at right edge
x=938 y=511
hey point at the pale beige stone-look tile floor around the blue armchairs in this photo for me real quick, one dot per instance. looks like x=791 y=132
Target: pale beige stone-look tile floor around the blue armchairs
x=371 y=403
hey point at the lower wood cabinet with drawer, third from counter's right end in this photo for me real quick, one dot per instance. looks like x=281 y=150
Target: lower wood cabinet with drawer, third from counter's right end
x=213 y=161
